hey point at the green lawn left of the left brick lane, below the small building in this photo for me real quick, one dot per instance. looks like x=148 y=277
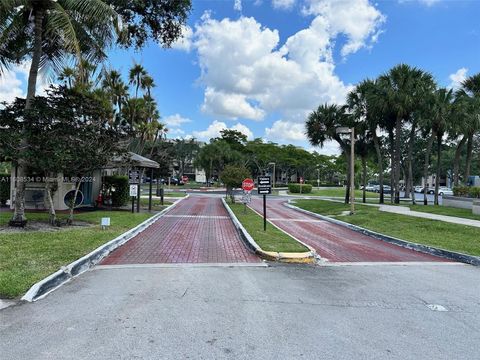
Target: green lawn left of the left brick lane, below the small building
x=28 y=257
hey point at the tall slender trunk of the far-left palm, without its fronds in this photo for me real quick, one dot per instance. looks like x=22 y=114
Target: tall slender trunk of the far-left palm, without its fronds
x=19 y=217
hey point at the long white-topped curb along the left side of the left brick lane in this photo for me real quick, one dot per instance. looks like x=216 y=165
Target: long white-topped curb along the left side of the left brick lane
x=52 y=282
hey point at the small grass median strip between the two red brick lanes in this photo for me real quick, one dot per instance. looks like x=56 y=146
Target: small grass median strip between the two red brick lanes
x=270 y=240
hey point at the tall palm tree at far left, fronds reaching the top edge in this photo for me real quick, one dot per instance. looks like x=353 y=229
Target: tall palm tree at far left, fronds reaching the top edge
x=48 y=32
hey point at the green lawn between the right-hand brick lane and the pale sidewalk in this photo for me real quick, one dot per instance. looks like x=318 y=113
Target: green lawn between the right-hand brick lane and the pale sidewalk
x=461 y=238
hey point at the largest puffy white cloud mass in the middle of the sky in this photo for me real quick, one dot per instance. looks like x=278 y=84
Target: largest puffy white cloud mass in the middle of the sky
x=248 y=73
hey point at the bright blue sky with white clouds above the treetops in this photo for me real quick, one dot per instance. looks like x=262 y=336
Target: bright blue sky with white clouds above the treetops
x=261 y=66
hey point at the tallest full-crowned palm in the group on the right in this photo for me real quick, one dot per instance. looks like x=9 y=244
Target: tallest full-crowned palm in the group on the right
x=403 y=90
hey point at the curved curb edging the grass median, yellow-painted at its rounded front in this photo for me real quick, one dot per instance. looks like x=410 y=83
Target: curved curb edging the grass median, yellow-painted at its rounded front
x=305 y=257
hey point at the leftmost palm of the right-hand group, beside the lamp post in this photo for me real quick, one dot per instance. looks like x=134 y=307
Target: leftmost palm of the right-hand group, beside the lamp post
x=322 y=125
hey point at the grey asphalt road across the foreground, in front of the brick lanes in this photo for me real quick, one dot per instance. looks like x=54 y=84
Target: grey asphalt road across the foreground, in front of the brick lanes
x=279 y=312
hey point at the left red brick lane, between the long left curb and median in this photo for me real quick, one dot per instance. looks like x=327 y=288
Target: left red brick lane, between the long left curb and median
x=197 y=230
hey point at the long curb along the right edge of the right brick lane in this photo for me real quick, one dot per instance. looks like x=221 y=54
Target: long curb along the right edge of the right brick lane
x=451 y=255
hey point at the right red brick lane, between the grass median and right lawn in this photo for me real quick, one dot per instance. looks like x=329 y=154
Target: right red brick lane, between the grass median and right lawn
x=333 y=242
